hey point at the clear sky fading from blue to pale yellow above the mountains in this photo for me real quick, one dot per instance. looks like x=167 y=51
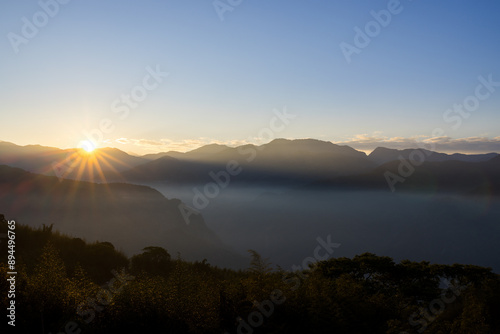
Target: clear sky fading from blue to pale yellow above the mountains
x=232 y=68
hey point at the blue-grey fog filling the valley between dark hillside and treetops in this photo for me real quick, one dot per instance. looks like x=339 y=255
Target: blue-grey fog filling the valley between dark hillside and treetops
x=283 y=224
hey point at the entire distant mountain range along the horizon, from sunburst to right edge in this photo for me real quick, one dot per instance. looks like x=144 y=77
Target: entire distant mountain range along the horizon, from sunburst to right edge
x=288 y=162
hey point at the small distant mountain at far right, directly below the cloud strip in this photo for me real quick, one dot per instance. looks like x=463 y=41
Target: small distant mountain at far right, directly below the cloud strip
x=382 y=155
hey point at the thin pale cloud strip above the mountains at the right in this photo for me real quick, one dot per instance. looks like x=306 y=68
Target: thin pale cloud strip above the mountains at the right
x=470 y=145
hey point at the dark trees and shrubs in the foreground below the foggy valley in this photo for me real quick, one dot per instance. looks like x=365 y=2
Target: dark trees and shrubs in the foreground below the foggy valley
x=66 y=285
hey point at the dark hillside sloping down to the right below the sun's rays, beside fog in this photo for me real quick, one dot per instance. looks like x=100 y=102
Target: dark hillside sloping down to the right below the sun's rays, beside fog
x=130 y=216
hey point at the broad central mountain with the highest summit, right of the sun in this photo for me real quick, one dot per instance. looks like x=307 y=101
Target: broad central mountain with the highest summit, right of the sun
x=278 y=161
